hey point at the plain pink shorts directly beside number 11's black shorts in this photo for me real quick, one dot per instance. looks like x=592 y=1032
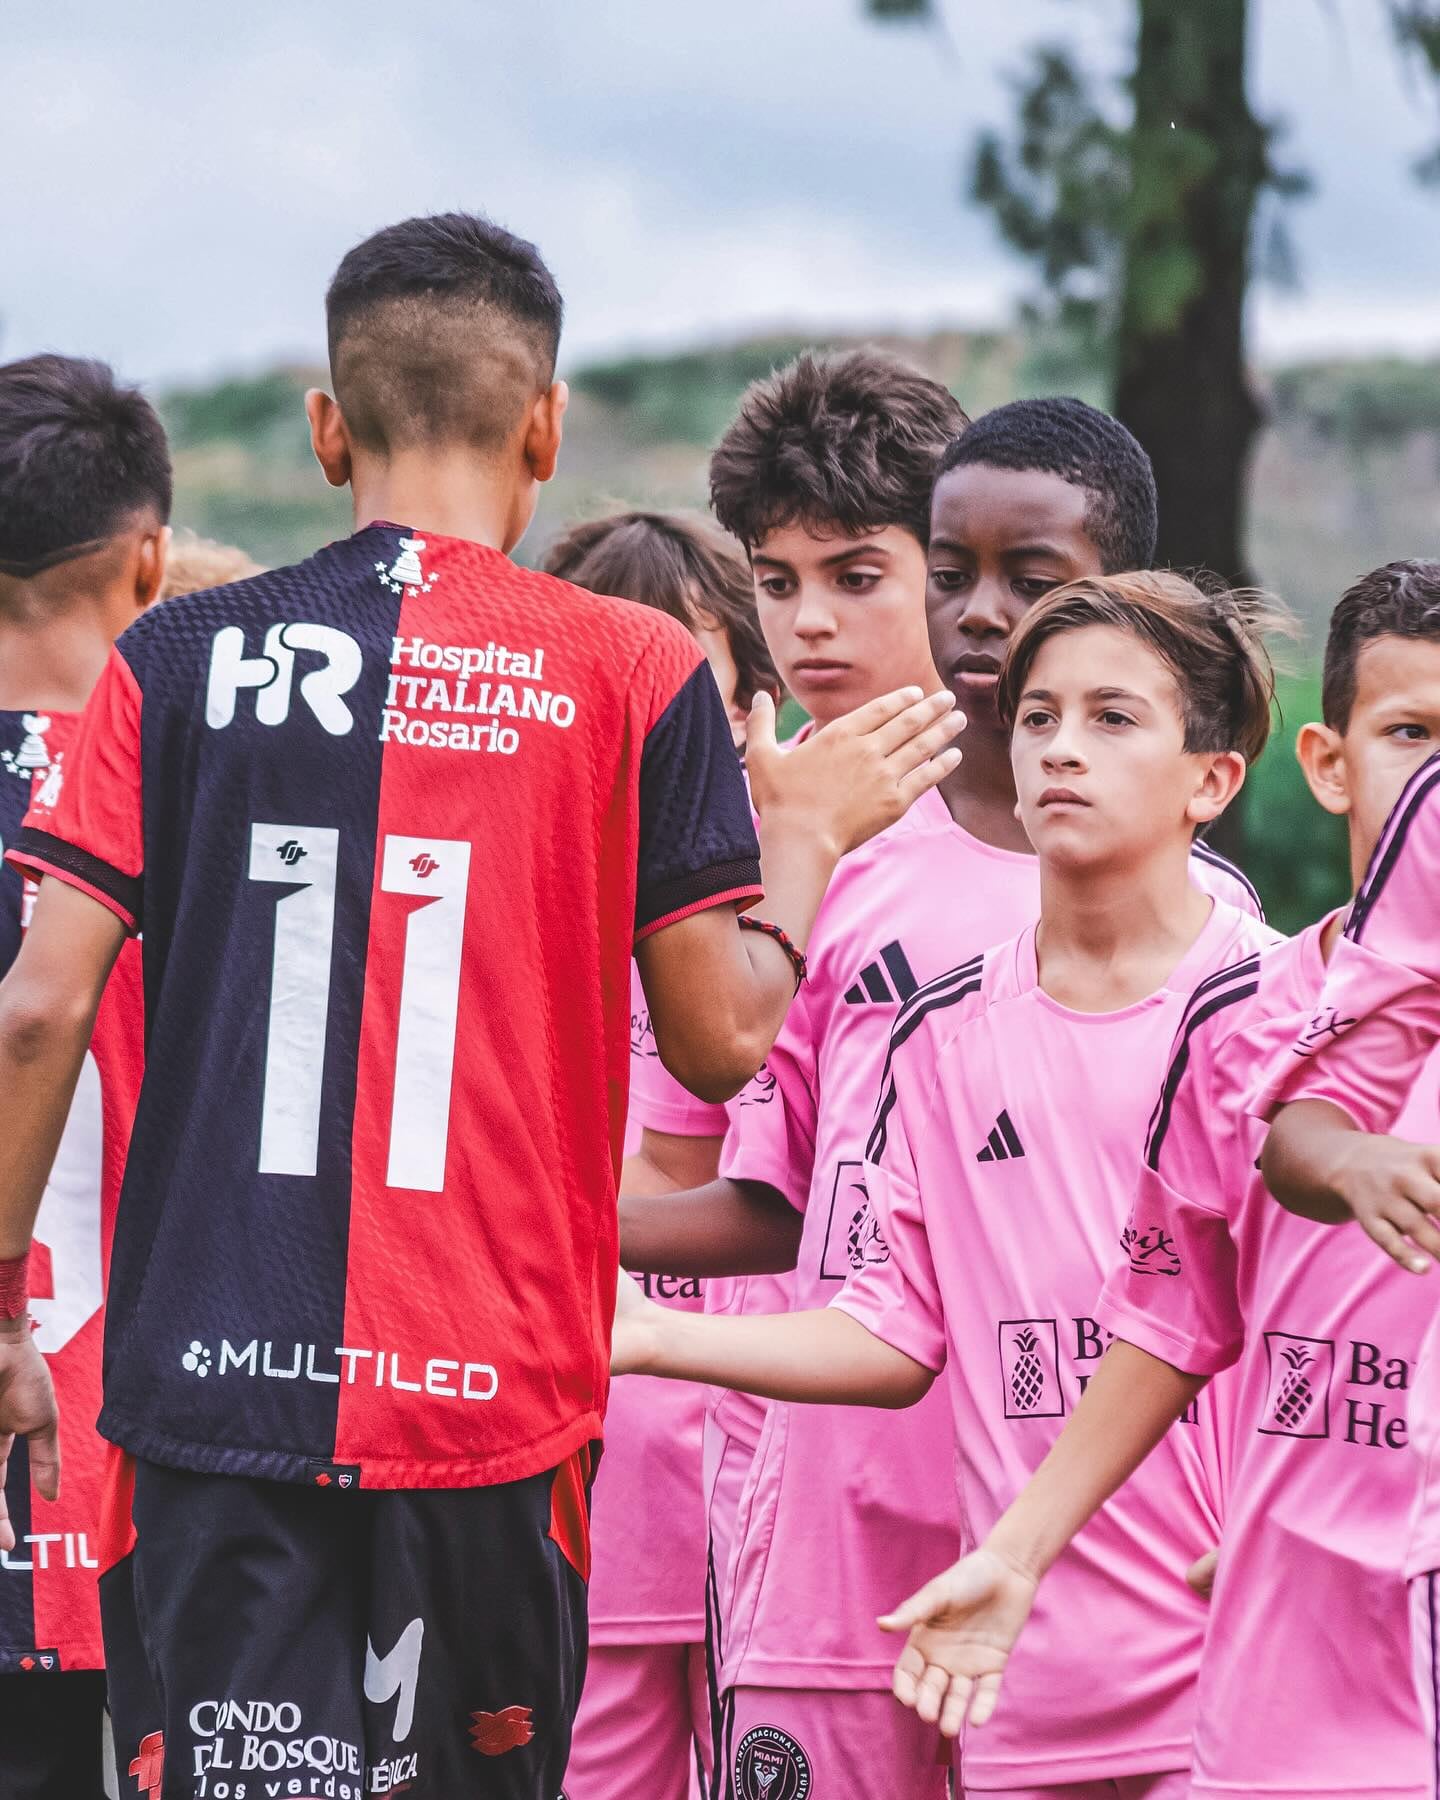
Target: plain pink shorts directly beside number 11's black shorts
x=643 y=1725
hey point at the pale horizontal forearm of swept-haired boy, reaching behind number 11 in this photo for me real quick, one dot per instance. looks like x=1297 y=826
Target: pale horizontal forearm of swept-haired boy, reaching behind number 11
x=820 y=1358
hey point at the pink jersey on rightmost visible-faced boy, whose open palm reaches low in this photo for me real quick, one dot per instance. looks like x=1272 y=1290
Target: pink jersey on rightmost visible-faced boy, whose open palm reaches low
x=1306 y=1678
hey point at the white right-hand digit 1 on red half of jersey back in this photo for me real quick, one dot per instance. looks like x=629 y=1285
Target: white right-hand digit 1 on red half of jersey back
x=436 y=870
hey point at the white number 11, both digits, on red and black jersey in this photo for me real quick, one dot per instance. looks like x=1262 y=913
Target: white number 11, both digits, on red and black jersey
x=433 y=870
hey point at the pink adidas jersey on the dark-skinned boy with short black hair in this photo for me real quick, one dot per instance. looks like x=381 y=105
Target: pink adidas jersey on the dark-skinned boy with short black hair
x=847 y=1509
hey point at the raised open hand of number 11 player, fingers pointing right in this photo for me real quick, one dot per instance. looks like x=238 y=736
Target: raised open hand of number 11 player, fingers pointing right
x=859 y=775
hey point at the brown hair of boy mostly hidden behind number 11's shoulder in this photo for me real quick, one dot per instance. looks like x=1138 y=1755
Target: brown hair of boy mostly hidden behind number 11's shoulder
x=679 y=564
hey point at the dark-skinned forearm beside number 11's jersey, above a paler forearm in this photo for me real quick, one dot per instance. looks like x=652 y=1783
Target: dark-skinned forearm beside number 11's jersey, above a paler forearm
x=724 y=1228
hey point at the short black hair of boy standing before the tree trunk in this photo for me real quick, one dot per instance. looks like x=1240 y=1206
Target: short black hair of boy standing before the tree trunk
x=1090 y=451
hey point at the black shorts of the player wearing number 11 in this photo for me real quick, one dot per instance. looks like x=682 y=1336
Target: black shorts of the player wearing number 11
x=274 y=1642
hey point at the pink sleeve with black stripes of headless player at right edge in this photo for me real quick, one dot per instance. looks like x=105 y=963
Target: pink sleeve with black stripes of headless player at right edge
x=1380 y=1011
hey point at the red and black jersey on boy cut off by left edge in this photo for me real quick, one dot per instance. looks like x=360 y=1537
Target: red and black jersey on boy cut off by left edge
x=49 y=1606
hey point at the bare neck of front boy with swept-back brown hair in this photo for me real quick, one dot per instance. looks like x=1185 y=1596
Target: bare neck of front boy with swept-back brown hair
x=1113 y=937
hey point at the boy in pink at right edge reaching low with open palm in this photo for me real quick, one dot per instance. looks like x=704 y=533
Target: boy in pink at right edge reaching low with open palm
x=1318 y=1482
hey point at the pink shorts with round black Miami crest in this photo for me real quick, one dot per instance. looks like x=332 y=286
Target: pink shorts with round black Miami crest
x=827 y=1743
